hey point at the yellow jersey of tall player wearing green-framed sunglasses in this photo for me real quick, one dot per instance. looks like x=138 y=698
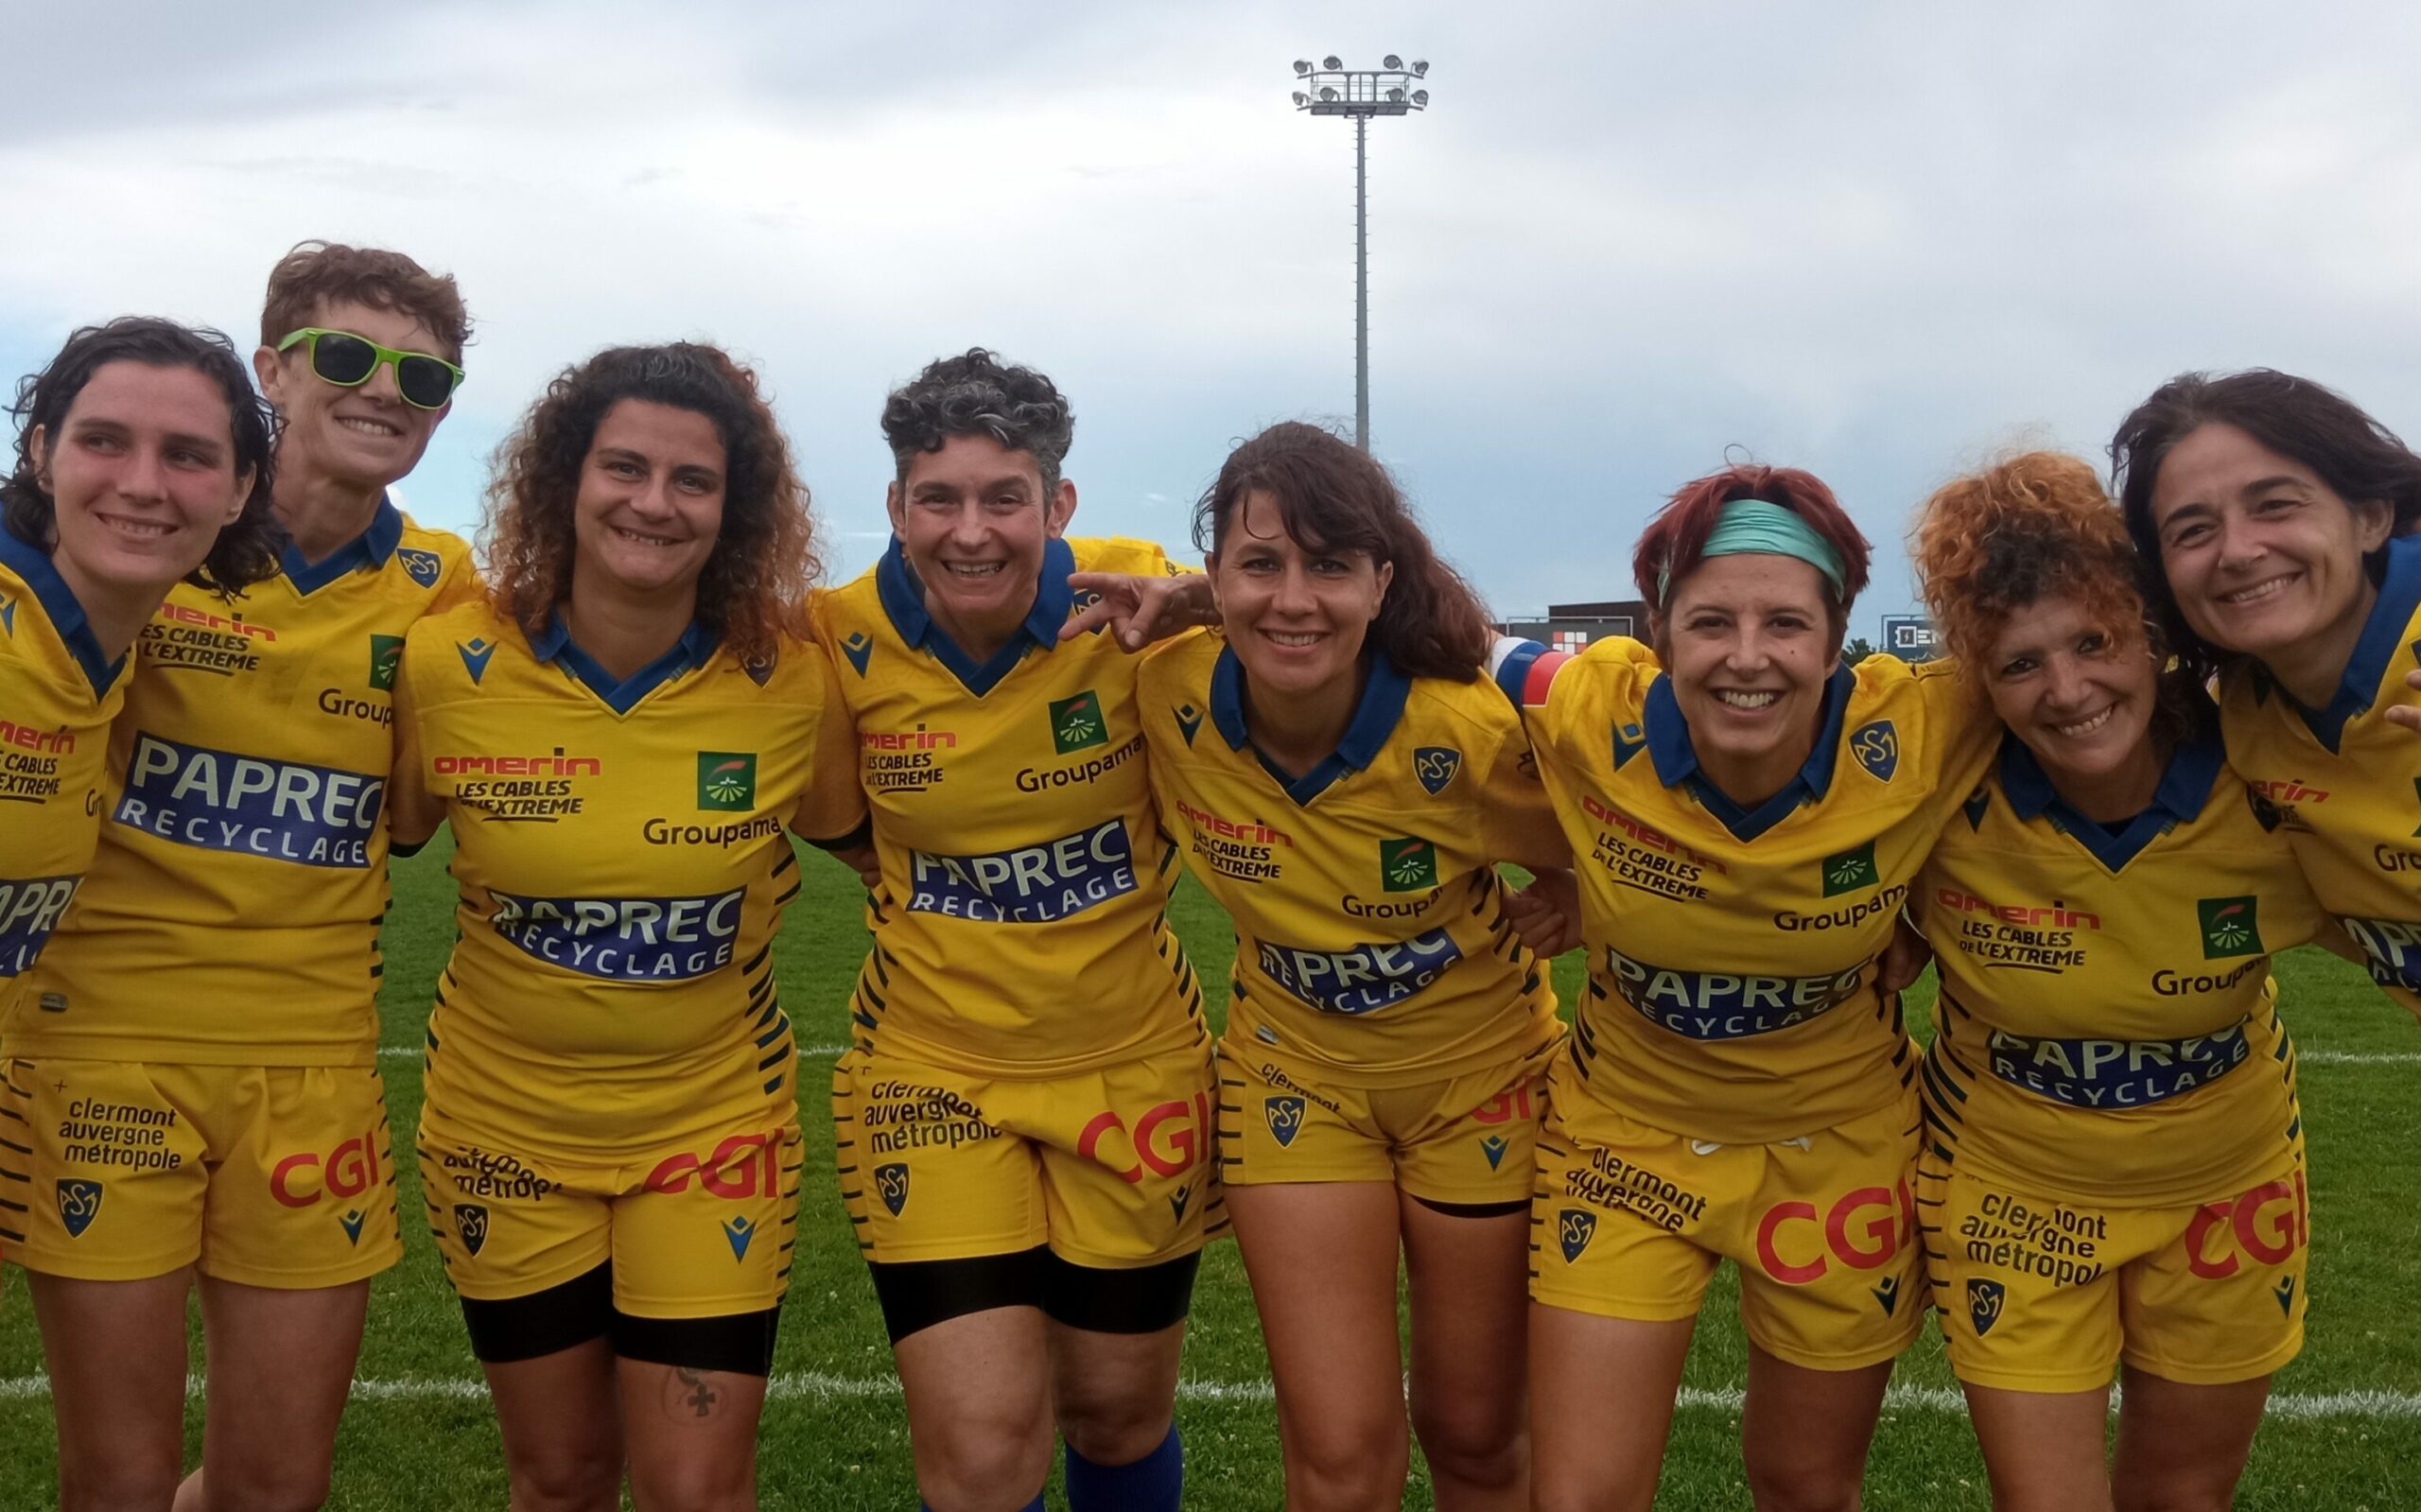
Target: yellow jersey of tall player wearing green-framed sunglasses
x=231 y=916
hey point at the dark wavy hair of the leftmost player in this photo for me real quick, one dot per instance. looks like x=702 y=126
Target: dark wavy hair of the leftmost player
x=248 y=550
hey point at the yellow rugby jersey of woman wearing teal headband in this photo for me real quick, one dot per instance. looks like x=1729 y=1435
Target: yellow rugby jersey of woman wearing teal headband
x=1732 y=952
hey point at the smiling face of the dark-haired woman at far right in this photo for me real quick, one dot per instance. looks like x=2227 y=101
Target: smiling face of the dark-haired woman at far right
x=2265 y=558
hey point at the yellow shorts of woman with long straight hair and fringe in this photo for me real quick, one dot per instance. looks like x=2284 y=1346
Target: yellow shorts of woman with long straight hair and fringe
x=1454 y=1141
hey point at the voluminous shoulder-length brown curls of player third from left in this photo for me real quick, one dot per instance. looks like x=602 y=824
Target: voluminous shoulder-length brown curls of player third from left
x=757 y=579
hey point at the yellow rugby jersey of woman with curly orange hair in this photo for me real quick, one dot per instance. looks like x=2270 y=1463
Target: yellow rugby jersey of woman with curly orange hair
x=2107 y=1025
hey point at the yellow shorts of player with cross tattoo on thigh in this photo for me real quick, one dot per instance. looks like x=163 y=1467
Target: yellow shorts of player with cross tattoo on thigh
x=696 y=1230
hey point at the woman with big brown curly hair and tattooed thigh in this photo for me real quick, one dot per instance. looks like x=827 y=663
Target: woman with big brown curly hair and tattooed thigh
x=611 y=1136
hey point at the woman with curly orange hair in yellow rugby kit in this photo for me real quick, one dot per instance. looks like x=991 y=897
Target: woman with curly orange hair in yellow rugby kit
x=2112 y=1162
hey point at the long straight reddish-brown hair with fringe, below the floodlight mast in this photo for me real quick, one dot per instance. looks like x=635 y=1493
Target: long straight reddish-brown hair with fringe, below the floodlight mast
x=1333 y=497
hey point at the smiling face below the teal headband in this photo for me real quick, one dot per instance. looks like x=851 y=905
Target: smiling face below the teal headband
x=1749 y=645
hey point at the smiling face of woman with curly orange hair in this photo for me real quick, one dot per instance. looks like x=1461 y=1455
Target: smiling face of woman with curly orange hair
x=2081 y=700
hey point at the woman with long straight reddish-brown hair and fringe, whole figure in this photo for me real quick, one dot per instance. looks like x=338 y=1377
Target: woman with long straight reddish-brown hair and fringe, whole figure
x=1345 y=783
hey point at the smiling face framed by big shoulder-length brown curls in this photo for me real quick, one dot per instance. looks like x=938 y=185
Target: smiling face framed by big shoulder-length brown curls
x=650 y=504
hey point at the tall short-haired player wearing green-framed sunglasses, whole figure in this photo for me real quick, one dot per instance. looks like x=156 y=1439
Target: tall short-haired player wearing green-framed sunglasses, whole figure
x=219 y=976
